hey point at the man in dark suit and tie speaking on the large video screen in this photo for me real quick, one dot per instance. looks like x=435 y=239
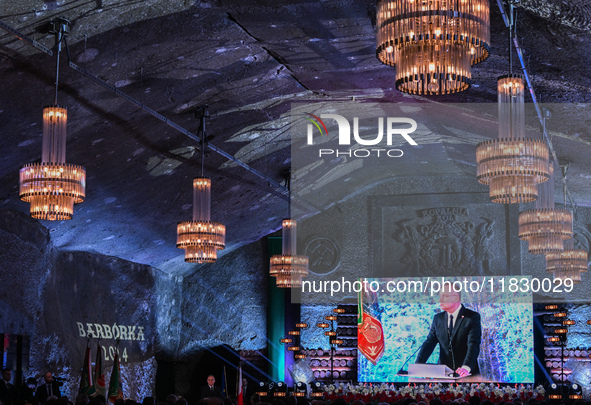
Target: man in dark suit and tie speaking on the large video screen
x=458 y=332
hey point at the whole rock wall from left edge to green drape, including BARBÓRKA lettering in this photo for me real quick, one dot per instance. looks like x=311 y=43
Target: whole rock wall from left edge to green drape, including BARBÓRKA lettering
x=63 y=300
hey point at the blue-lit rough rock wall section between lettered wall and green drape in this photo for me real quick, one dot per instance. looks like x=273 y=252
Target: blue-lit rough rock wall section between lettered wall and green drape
x=226 y=302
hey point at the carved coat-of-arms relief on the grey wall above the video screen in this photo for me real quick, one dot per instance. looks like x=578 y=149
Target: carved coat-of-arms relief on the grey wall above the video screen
x=446 y=241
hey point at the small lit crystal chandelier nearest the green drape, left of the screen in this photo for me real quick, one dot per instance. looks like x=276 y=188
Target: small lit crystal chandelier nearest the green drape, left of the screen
x=289 y=268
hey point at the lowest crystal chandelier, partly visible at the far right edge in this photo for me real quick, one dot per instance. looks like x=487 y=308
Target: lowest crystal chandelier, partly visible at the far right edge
x=571 y=263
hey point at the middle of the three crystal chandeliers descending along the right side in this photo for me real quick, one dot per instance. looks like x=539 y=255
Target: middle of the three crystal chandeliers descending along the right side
x=546 y=227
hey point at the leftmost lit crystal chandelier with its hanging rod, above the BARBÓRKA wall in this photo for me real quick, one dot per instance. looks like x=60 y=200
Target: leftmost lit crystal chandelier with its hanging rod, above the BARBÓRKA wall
x=53 y=186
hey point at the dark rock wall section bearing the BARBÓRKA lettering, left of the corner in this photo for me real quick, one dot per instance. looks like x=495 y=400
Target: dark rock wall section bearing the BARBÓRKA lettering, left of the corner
x=64 y=300
